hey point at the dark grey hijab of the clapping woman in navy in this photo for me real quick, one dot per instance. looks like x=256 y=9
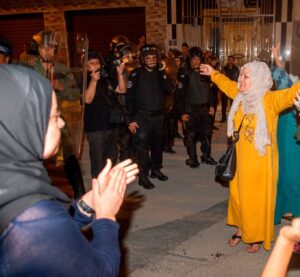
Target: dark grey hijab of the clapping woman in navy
x=24 y=113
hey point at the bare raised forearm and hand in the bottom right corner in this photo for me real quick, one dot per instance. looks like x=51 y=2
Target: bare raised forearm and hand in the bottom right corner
x=278 y=261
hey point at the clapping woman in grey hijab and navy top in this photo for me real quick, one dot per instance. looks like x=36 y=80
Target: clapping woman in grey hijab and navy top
x=38 y=237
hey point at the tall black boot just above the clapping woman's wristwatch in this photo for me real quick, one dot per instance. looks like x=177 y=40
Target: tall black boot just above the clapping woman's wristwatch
x=74 y=176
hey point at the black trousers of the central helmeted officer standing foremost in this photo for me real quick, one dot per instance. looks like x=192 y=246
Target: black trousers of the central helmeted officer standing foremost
x=147 y=143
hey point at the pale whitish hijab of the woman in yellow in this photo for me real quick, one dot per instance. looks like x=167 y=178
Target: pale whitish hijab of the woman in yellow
x=261 y=82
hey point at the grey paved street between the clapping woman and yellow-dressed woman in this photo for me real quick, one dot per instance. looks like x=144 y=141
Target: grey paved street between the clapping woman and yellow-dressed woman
x=179 y=229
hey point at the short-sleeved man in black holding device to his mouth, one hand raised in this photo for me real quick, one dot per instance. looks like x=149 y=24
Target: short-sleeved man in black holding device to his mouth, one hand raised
x=99 y=98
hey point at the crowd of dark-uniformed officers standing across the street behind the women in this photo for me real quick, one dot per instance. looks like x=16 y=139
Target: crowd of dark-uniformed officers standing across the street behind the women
x=134 y=100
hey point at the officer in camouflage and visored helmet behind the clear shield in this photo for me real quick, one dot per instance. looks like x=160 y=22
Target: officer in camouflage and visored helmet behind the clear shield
x=45 y=45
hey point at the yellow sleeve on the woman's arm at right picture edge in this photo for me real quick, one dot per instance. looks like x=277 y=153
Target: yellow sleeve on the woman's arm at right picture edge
x=280 y=100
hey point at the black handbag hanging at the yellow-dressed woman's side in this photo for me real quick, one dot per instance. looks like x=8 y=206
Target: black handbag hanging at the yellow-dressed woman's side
x=226 y=166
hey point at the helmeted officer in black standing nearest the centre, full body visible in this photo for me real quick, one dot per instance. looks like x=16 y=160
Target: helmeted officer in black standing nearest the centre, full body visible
x=146 y=89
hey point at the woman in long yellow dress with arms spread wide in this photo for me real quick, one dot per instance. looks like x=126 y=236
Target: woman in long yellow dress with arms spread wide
x=252 y=191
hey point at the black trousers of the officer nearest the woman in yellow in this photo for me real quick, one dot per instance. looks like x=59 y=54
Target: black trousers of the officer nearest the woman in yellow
x=198 y=128
